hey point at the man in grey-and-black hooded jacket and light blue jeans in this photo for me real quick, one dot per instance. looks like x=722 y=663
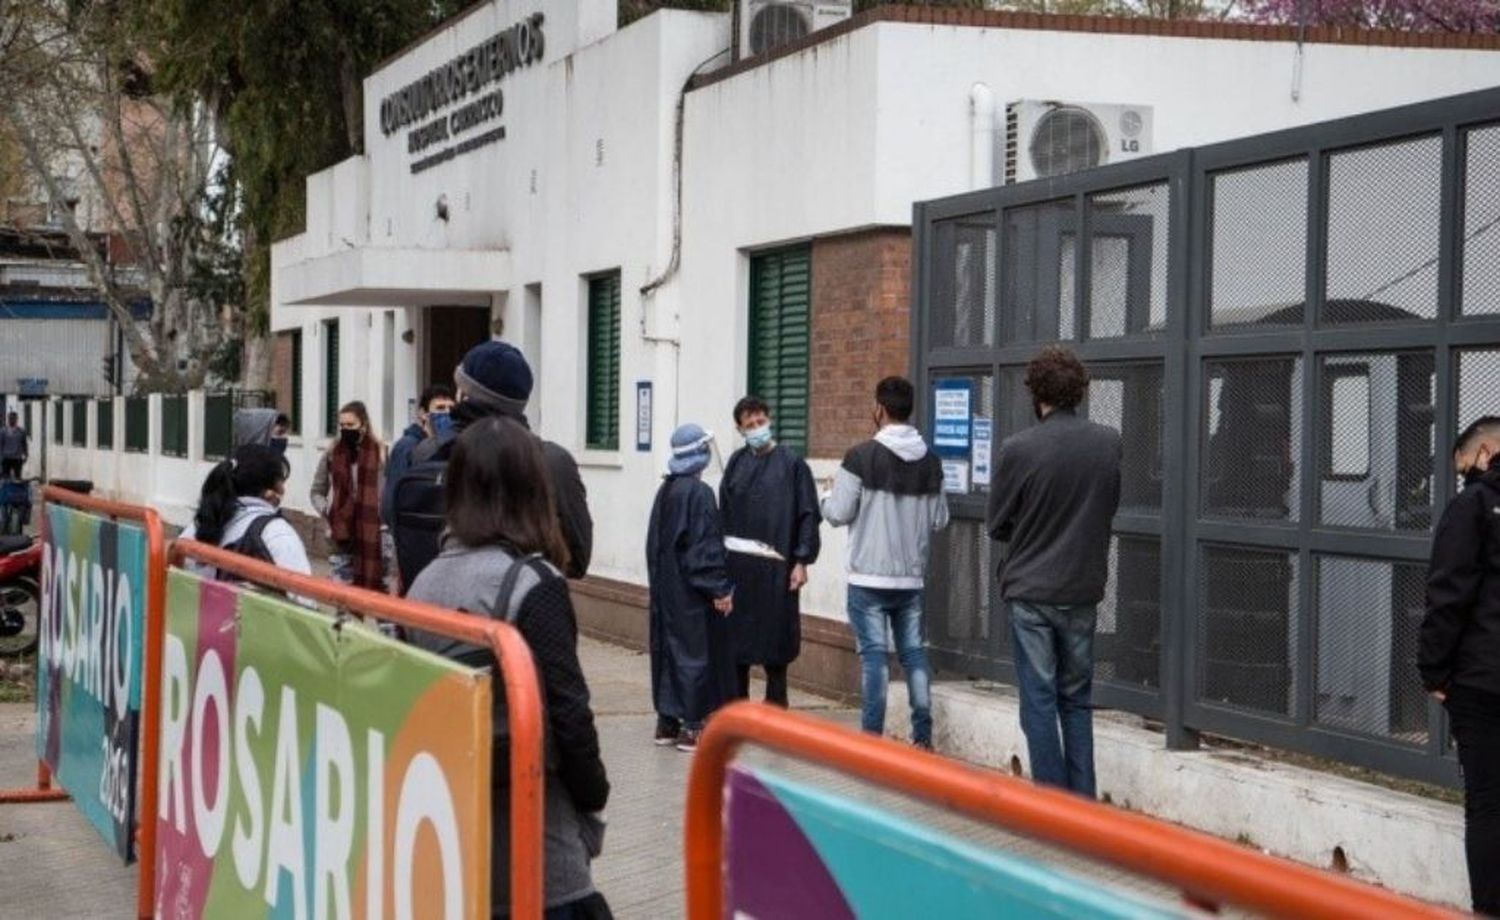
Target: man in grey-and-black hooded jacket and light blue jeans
x=890 y=492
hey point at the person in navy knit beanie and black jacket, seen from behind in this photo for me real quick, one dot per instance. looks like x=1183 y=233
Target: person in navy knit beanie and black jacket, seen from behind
x=496 y=380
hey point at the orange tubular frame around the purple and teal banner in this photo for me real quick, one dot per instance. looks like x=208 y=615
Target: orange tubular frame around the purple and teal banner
x=1210 y=871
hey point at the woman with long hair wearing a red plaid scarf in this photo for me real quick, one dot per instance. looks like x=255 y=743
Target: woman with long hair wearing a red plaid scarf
x=346 y=492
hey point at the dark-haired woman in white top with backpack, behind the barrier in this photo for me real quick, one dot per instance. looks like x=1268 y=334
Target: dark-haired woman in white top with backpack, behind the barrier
x=239 y=510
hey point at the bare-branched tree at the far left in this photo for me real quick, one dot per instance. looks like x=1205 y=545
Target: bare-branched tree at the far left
x=113 y=155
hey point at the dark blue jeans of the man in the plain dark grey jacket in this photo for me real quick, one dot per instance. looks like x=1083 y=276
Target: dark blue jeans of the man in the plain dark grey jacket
x=1055 y=670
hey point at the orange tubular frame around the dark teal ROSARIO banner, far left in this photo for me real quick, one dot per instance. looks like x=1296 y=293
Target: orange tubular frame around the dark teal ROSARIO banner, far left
x=151 y=684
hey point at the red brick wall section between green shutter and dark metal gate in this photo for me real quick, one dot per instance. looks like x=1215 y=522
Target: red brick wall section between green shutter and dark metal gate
x=862 y=331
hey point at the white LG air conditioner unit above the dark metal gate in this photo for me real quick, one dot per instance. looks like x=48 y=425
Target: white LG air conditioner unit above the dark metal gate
x=1055 y=139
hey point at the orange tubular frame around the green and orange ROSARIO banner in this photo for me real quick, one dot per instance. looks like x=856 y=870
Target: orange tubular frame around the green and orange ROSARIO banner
x=517 y=669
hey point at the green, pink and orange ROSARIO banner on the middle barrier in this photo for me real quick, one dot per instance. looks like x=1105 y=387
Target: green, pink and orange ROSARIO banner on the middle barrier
x=314 y=769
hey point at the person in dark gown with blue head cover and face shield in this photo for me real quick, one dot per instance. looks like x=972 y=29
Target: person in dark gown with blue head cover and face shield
x=692 y=660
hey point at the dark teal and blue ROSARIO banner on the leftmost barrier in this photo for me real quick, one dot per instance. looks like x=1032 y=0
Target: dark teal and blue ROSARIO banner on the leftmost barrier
x=89 y=673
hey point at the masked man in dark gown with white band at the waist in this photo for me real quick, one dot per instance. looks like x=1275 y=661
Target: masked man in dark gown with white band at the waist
x=769 y=507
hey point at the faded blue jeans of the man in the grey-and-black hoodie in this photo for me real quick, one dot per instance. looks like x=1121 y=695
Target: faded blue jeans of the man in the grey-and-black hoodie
x=869 y=612
